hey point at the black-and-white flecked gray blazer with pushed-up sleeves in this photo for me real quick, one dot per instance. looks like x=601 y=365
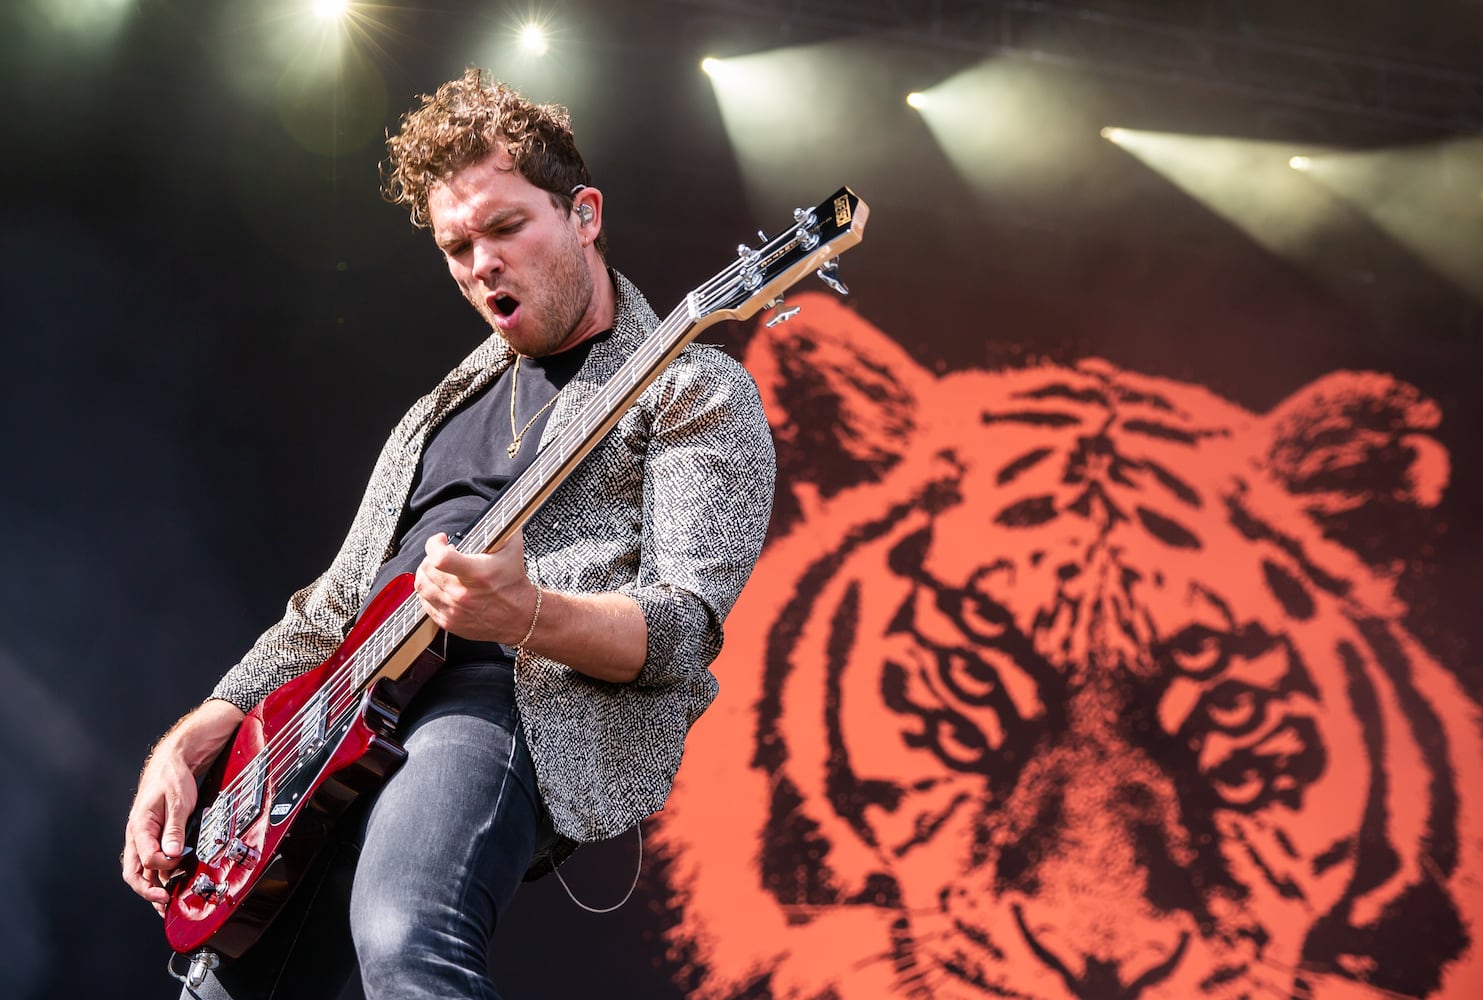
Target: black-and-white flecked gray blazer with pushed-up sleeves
x=671 y=508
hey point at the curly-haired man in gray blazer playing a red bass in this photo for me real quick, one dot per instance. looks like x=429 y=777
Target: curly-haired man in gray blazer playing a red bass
x=578 y=652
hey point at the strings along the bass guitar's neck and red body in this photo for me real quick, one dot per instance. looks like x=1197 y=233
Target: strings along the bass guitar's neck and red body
x=283 y=750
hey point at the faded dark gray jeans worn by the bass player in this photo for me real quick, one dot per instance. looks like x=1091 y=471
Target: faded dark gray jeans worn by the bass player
x=413 y=889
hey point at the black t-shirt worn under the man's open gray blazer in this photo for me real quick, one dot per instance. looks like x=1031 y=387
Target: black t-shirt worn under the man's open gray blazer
x=466 y=464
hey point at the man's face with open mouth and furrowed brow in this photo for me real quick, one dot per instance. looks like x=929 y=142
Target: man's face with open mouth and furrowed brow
x=517 y=257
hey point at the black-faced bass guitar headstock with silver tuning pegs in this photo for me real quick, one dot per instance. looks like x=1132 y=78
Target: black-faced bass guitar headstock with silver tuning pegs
x=760 y=277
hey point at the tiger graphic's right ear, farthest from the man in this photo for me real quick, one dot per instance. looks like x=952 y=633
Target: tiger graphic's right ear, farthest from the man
x=1358 y=450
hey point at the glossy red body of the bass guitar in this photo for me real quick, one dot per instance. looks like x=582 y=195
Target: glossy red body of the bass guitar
x=278 y=808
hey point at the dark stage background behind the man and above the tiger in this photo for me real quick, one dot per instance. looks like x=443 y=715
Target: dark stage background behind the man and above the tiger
x=210 y=323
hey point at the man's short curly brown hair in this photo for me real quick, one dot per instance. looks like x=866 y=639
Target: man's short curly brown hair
x=466 y=121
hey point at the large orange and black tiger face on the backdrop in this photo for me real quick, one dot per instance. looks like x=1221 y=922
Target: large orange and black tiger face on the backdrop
x=1066 y=682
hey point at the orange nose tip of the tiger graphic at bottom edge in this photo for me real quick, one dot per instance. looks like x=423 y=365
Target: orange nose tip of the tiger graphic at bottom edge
x=1138 y=955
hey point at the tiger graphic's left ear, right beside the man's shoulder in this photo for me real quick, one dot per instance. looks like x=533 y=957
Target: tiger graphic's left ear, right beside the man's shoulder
x=842 y=398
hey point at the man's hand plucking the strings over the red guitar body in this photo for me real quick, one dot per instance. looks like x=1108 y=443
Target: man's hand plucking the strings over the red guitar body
x=155 y=833
